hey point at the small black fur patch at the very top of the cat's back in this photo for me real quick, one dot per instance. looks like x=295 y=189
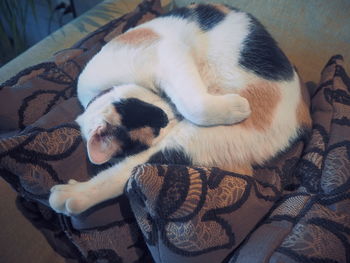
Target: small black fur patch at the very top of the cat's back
x=208 y=16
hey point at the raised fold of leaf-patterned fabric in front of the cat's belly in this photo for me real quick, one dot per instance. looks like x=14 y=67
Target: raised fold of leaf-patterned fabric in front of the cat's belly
x=198 y=214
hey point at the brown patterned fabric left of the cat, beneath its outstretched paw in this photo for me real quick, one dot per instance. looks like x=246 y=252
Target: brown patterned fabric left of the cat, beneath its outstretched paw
x=38 y=107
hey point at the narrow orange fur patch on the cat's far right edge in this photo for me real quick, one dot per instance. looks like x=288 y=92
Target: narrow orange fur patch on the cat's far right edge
x=303 y=112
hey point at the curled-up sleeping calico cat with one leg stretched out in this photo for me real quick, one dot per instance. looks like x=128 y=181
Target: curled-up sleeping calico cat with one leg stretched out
x=202 y=85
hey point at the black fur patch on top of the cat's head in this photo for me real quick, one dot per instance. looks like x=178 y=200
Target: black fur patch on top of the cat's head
x=136 y=114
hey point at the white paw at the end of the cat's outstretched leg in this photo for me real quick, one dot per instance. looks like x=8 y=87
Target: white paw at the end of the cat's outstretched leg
x=70 y=199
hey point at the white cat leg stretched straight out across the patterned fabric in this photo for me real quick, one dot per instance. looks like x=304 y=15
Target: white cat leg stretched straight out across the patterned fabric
x=76 y=197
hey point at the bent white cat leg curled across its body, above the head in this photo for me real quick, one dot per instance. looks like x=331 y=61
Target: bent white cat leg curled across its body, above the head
x=181 y=81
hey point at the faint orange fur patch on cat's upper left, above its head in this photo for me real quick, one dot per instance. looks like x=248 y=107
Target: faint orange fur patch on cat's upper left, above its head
x=138 y=37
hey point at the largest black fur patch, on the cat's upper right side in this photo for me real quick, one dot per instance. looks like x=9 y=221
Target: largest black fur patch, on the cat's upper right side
x=262 y=55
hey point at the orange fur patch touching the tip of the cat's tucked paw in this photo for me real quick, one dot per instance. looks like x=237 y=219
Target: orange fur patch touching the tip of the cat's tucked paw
x=263 y=98
